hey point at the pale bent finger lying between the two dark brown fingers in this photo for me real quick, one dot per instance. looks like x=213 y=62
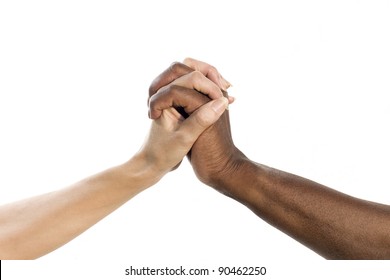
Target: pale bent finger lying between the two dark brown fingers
x=196 y=80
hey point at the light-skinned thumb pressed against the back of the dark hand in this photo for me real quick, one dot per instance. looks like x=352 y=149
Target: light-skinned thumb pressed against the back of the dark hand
x=204 y=117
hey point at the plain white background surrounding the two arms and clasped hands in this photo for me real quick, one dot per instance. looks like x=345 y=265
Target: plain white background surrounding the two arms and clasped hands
x=311 y=80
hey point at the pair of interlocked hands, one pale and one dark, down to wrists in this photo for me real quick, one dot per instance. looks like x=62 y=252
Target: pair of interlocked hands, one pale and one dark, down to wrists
x=187 y=103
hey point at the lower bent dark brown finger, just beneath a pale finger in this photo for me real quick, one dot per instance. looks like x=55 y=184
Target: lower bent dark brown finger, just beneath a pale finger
x=177 y=97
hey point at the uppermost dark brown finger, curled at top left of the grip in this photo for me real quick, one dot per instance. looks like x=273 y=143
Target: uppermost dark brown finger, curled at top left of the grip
x=174 y=71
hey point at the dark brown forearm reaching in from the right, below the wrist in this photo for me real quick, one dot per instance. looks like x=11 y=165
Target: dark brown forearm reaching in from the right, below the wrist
x=333 y=224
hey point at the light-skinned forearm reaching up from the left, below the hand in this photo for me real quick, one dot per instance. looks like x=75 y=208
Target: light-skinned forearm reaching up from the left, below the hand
x=38 y=225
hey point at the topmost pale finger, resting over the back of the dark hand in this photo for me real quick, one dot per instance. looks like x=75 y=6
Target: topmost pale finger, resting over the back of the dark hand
x=209 y=71
